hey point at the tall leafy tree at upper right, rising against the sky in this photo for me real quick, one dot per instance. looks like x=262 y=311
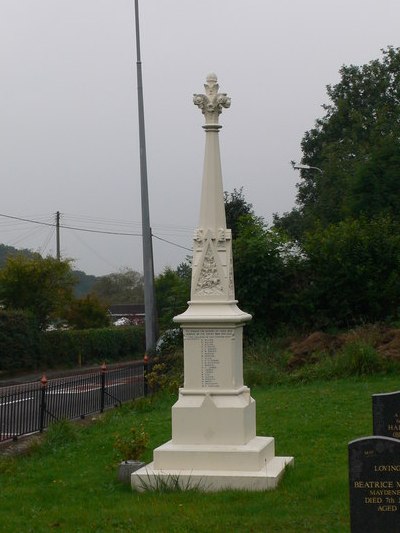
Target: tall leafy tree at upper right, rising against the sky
x=360 y=130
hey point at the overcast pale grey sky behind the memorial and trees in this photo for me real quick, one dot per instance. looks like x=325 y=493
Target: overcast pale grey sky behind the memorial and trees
x=68 y=111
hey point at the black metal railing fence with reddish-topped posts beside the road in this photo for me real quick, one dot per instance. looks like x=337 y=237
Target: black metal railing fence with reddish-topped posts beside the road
x=31 y=407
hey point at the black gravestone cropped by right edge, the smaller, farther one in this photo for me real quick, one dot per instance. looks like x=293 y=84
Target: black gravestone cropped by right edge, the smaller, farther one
x=386 y=414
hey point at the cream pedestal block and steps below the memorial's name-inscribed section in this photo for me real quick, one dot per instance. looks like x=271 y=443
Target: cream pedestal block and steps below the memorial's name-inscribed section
x=214 y=446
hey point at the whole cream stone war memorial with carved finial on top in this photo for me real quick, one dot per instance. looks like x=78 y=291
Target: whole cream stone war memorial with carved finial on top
x=214 y=444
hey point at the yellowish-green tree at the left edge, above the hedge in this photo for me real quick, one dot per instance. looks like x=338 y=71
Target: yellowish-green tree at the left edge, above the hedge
x=41 y=286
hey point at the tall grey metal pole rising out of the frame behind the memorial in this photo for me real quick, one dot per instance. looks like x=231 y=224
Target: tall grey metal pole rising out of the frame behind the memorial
x=148 y=265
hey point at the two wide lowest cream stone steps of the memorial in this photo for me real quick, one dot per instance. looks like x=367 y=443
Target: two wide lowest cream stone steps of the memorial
x=252 y=466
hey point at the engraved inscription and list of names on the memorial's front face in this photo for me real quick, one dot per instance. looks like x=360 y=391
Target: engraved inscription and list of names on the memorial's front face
x=209 y=352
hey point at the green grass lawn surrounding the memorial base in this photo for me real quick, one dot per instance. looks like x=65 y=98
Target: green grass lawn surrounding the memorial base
x=69 y=484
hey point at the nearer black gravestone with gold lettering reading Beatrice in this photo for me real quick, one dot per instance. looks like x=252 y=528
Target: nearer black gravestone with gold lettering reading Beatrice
x=374 y=475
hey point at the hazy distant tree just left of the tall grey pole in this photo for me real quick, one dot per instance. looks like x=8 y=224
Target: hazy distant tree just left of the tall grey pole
x=124 y=287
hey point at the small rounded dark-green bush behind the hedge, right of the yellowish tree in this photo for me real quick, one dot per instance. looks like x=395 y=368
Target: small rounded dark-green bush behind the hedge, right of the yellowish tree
x=87 y=312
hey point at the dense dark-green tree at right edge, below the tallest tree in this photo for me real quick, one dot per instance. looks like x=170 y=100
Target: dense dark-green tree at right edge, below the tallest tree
x=354 y=271
